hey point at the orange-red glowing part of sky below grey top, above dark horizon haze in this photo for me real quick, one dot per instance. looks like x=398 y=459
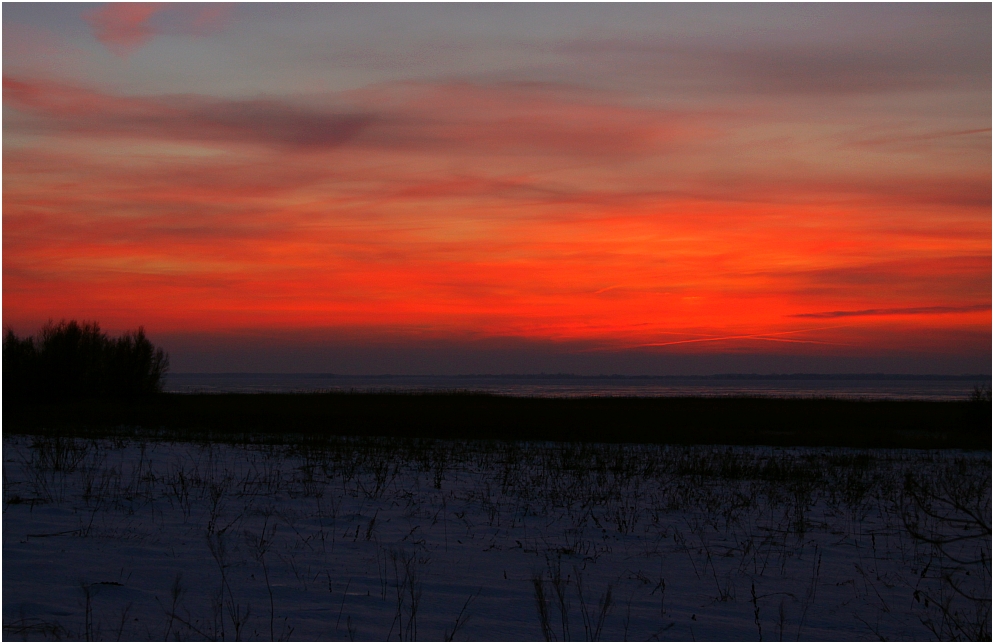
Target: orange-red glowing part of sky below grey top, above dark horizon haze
x=468 y=208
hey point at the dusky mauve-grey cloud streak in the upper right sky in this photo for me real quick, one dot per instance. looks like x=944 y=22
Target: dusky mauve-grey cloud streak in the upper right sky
x=792 y=69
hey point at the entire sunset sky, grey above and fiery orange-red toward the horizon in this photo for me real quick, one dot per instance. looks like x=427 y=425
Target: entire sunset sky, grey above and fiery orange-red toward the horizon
x=505 y=188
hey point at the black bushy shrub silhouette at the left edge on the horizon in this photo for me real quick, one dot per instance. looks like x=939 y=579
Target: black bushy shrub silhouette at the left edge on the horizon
x=70 y=359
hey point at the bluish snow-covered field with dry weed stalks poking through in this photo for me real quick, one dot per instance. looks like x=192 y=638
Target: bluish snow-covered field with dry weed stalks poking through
x=432 y=540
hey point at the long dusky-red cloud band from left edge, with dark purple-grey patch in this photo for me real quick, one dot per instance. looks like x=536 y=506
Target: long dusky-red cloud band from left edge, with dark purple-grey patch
x=478 y=118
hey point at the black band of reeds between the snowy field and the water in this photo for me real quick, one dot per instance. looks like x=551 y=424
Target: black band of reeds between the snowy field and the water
x=730 y=421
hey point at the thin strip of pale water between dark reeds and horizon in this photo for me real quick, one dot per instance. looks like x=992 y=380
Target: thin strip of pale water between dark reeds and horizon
x=936 y=388
